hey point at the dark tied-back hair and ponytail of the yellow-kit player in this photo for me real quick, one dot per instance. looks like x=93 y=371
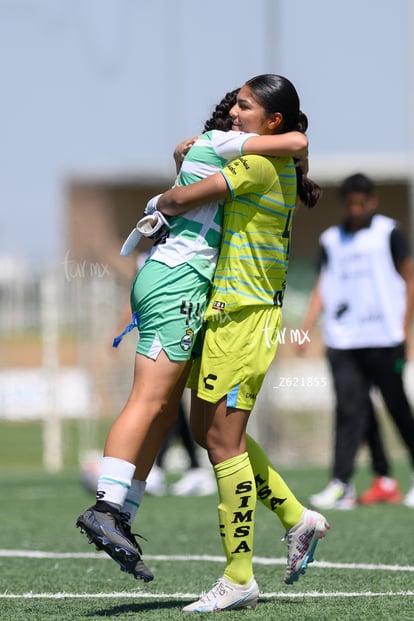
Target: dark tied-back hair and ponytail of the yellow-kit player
x=277 y=94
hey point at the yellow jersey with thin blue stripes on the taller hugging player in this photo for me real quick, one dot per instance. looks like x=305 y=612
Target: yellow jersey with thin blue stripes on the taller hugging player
x=254 y=255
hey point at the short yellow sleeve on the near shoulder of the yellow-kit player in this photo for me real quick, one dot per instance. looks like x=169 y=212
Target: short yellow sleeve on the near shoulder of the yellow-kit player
x=250 y=173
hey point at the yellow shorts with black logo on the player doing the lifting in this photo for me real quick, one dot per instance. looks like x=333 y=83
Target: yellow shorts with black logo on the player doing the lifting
x=238 y=349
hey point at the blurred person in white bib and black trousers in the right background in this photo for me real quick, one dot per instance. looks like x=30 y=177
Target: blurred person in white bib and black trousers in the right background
x=366 y=292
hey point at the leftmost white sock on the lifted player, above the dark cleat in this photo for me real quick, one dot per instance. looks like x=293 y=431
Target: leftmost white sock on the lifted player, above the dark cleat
x=114 y=480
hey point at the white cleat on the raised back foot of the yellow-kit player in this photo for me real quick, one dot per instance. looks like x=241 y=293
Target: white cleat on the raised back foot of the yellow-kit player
x=302 y=540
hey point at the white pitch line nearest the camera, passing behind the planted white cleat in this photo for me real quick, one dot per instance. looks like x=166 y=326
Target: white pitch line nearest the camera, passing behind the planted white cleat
x=135 y=595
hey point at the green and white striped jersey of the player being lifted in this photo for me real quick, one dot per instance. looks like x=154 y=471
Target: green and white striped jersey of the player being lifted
x=195 y=237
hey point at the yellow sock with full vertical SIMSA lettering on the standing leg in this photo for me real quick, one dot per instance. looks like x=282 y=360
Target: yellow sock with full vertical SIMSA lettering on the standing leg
x=237 y=494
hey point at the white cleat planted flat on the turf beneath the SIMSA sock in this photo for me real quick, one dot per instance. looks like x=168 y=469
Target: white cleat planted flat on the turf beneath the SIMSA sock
x=226 y=595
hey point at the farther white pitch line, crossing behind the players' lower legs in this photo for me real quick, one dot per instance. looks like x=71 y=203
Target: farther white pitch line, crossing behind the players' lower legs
x=258 y=560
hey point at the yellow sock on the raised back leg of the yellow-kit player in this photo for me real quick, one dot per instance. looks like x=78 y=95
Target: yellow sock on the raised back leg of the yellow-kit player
x=272 y=491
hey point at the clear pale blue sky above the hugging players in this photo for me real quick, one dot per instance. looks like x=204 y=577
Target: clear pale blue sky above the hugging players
x=109 y=87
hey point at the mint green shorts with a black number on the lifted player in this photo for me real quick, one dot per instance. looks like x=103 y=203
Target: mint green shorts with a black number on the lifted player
x=170 y=303
